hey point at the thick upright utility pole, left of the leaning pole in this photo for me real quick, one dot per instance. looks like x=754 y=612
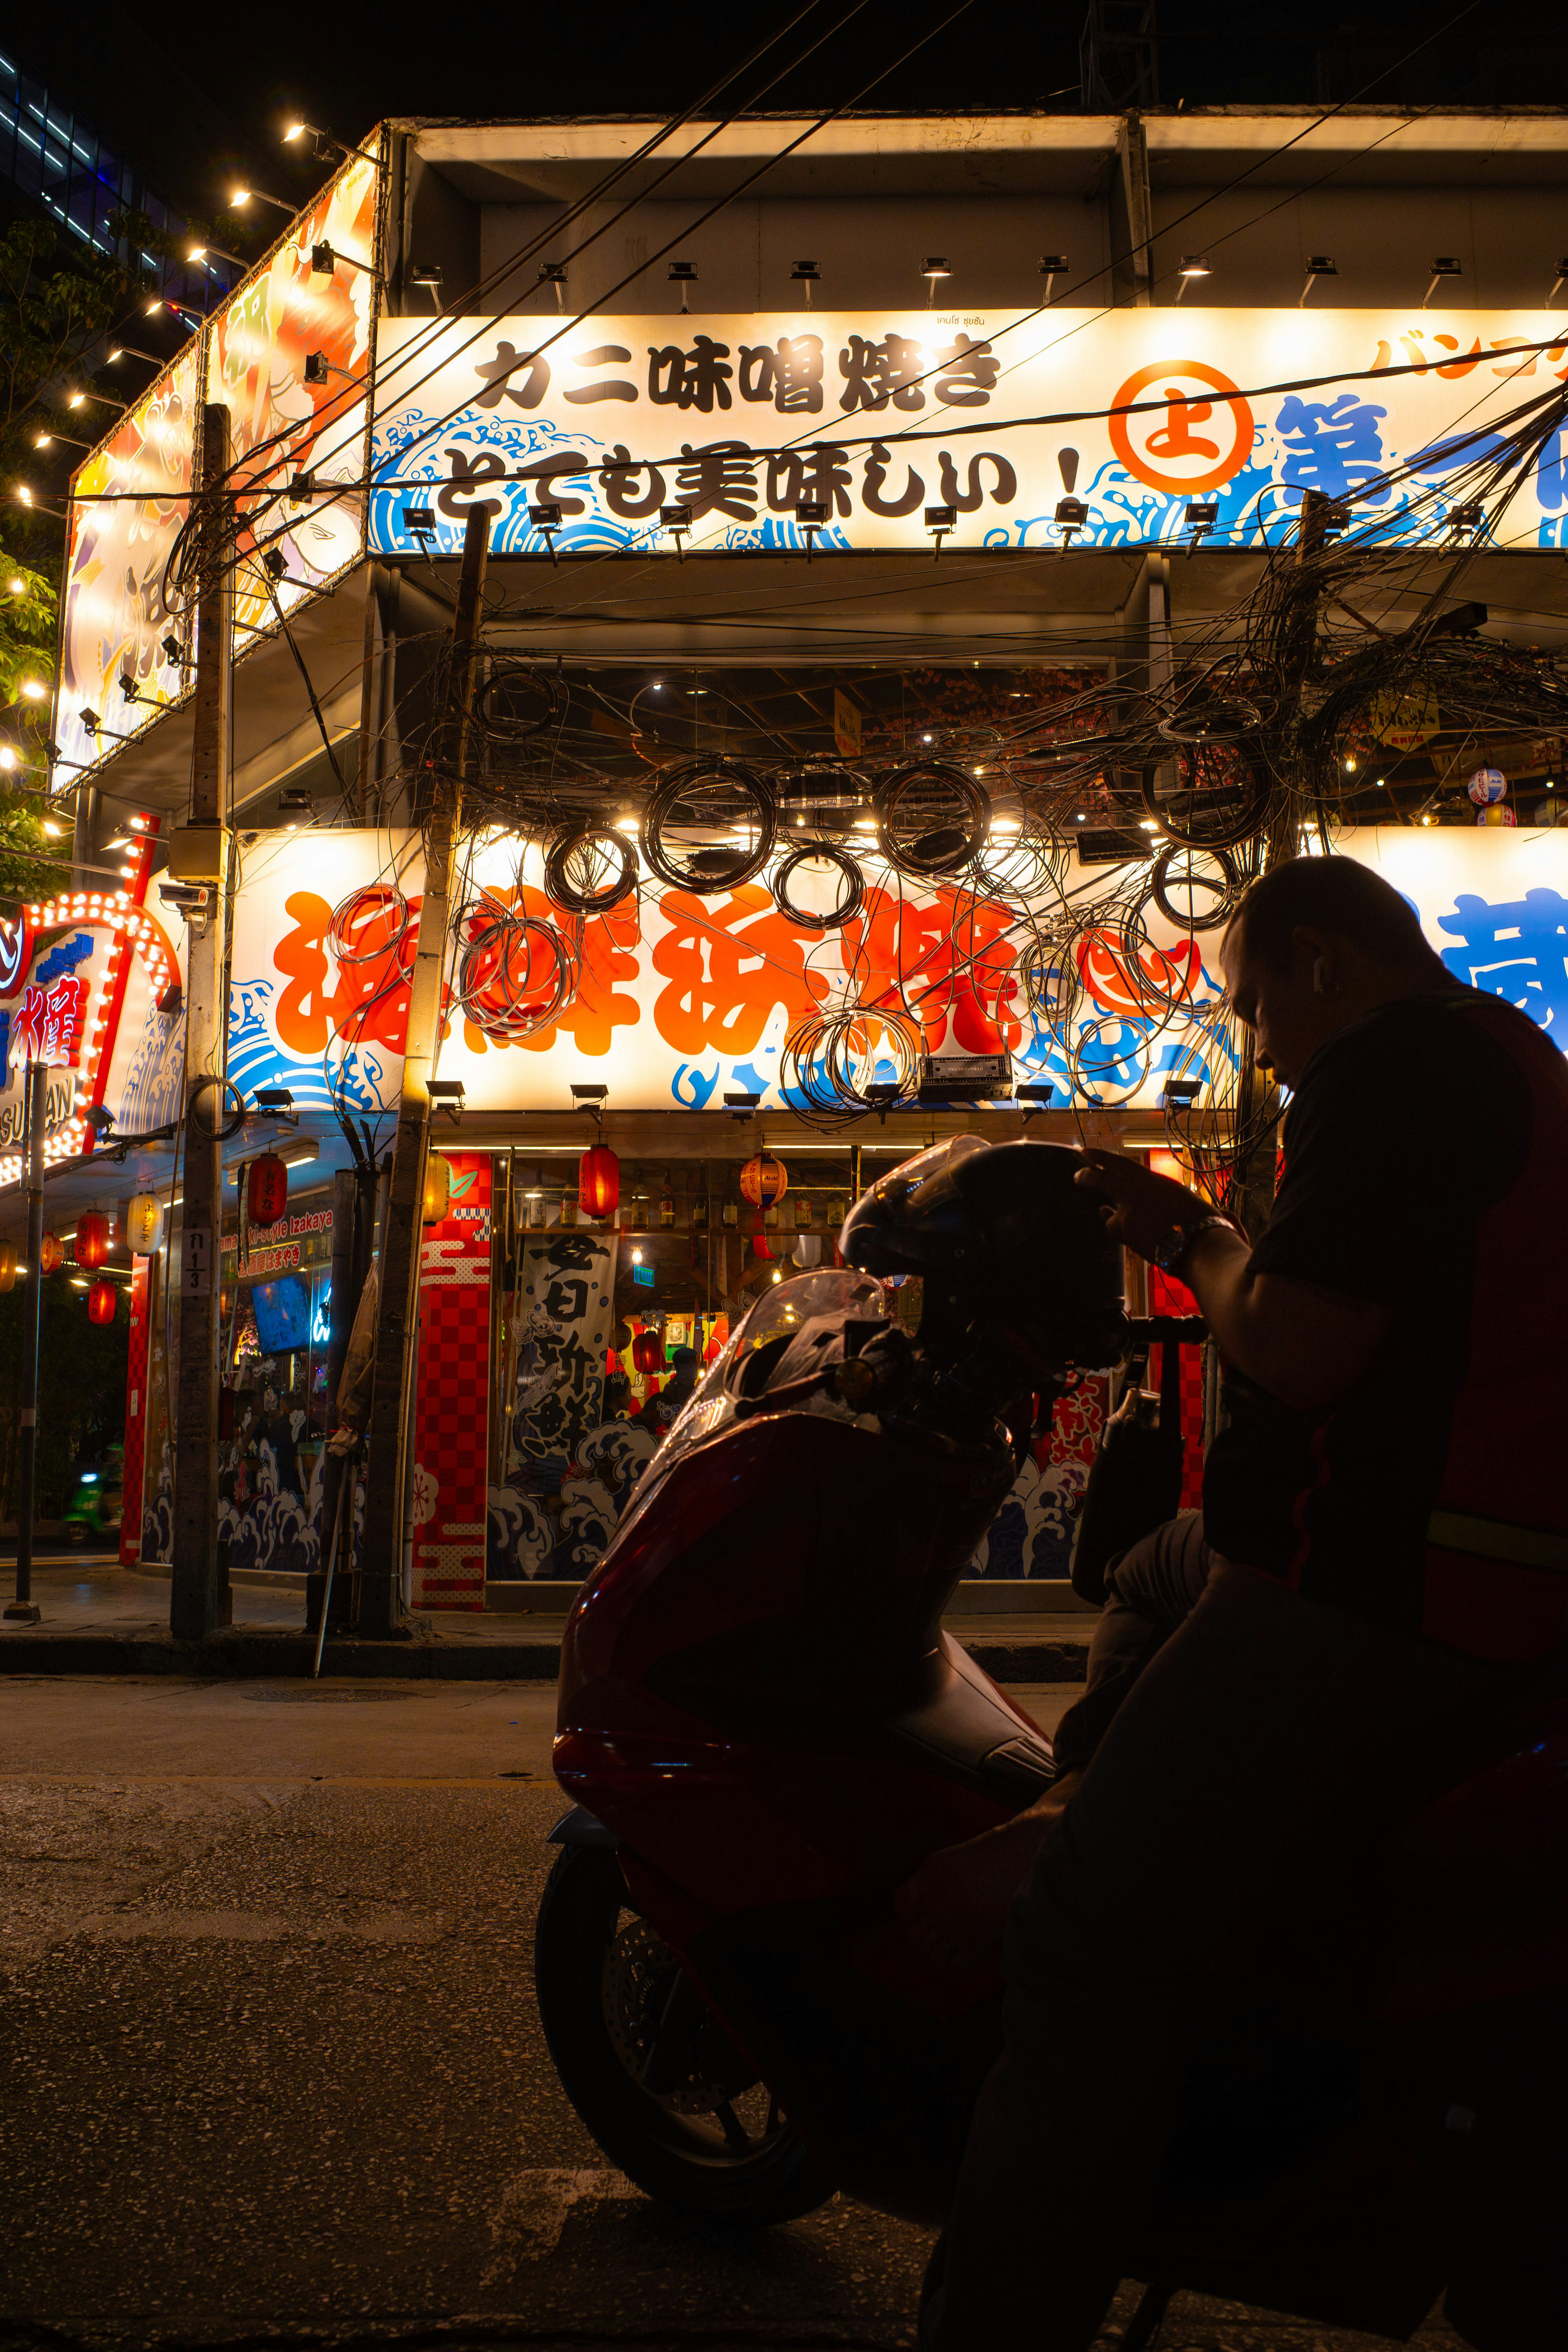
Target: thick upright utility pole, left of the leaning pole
x=199 y=1591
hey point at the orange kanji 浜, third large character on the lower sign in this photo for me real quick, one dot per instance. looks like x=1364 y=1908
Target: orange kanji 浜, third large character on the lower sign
x=730 y=968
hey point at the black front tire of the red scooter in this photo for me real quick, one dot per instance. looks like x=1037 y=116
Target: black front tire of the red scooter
x=676 y=2158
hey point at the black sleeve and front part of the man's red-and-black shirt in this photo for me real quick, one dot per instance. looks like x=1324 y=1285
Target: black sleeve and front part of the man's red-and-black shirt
x=1402 y=1135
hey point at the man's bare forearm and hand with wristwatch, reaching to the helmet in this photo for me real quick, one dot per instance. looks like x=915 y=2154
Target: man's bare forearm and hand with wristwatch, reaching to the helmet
x=1299 y=1342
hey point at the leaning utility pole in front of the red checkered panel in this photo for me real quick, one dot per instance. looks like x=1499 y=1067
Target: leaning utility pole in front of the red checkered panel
x=391 y=1403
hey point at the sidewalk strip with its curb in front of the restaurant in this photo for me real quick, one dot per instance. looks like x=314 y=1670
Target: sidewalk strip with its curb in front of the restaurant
x=102 y=1619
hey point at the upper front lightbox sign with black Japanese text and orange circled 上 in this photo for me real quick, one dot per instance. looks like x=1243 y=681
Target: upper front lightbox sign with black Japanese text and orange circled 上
x=744 y=417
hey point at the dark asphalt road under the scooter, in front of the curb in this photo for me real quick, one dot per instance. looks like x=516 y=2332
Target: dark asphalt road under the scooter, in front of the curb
x=272 y=2071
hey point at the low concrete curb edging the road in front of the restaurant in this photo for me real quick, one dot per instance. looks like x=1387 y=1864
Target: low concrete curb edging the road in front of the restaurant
x=279 y=1657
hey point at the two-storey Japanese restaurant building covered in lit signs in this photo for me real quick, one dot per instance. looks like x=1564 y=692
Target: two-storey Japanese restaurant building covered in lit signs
x=843 y=490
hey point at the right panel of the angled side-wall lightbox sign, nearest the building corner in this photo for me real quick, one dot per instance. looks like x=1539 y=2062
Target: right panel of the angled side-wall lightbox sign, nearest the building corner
x=290 y=359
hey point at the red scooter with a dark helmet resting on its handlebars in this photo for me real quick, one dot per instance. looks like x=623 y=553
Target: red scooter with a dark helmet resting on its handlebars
x=765 y=1732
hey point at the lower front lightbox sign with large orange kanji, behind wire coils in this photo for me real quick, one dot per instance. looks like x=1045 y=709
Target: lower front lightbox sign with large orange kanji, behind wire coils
x=685 y=998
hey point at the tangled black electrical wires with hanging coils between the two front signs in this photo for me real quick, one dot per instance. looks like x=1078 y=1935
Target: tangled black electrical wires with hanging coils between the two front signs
x=1080 y=855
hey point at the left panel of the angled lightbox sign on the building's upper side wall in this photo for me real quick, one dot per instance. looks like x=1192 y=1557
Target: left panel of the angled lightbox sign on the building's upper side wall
x=130 y=502
